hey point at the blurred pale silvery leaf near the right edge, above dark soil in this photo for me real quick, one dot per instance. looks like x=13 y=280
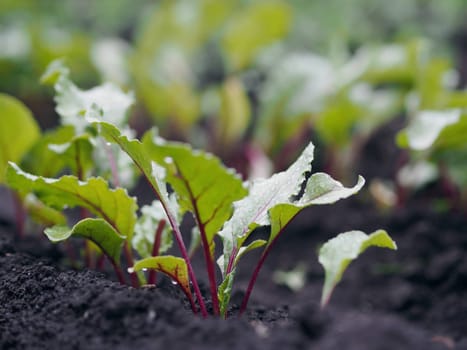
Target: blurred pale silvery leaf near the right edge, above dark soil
x=425 y=128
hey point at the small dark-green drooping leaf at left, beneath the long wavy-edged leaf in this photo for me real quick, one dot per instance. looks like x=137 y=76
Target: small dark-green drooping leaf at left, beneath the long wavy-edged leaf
x=97 y=230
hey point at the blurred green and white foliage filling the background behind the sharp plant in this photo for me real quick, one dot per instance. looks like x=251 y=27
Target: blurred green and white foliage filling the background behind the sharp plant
x=249 y=80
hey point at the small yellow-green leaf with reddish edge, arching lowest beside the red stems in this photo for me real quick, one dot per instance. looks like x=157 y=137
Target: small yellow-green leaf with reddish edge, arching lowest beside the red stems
x=172 y=266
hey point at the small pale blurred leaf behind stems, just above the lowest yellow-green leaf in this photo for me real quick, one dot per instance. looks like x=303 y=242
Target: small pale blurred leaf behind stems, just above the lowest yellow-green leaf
x=145 y=228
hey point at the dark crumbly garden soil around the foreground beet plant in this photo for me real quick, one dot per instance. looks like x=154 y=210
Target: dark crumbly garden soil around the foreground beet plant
x=412 y=298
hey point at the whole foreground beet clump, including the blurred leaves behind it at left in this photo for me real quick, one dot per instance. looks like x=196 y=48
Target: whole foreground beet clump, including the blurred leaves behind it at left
x=92 y=159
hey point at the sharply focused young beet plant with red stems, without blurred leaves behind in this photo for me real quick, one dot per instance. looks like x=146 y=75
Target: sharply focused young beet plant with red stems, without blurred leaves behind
x=225 y=211
